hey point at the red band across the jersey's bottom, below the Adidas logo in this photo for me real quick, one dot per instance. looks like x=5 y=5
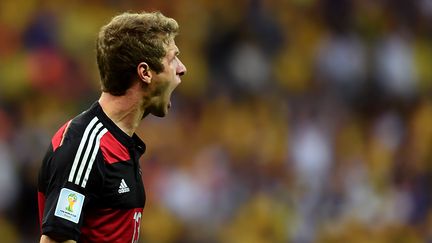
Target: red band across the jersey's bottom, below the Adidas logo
x=111 y=225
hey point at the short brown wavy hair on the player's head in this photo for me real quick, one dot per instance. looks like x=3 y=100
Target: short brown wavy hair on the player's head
x=127 y=40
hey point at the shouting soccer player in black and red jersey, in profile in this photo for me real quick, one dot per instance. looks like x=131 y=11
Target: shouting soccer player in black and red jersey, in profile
x=90 y=187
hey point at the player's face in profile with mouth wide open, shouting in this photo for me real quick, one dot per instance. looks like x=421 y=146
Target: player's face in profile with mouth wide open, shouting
x=166 y=81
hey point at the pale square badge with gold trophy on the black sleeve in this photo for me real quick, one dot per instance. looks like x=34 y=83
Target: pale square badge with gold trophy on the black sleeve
x=69 y=205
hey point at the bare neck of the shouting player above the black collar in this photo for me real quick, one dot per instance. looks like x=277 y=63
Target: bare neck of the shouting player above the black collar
x=125 y=111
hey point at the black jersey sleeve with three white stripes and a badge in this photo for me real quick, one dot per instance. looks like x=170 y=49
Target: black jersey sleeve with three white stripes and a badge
x=69 y=179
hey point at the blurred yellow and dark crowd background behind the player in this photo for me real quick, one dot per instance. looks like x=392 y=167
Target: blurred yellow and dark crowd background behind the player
x=298 y=120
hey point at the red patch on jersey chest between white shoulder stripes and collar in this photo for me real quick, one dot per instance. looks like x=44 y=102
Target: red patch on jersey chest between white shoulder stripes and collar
x=112 y=150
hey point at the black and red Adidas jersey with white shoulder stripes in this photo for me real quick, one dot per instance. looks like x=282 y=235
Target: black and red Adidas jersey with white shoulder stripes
x=90 y=187
